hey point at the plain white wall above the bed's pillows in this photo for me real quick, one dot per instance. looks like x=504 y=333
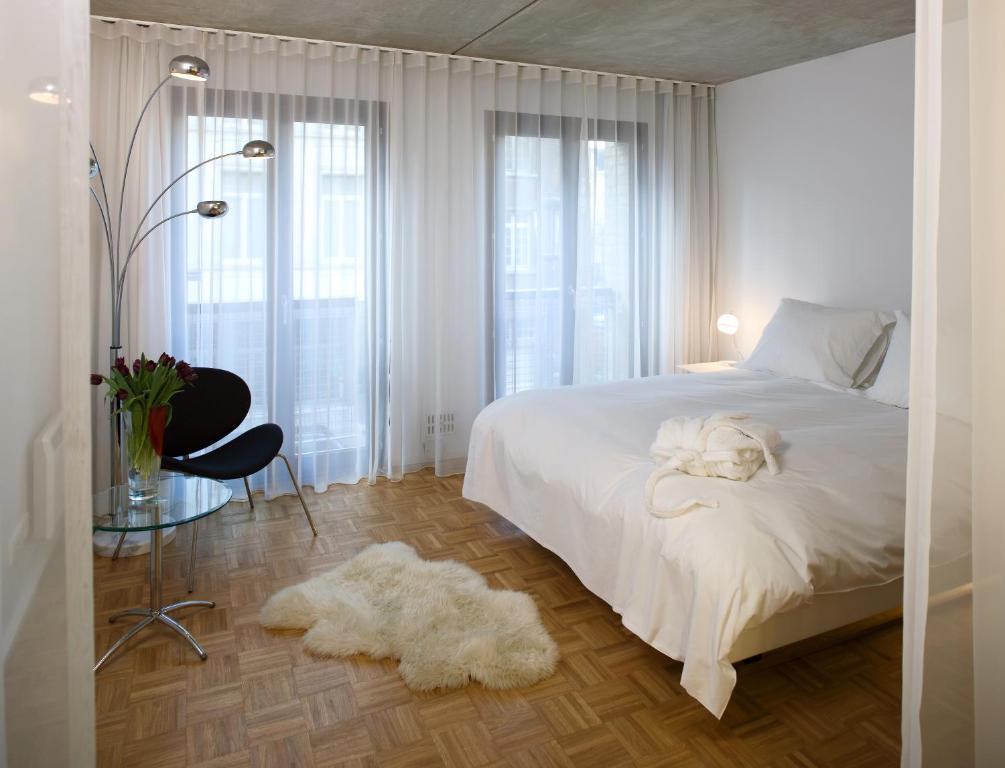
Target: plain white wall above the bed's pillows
x=816 y=185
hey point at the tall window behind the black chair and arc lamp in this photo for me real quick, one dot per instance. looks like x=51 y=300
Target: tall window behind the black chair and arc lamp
x=277 y=290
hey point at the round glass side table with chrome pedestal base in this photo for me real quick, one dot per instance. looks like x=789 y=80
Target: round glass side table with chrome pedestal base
x=180 y=499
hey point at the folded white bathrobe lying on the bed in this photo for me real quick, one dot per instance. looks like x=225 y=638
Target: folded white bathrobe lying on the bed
x=723 y=446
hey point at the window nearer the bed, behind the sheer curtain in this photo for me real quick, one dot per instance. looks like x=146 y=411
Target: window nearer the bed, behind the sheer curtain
x=564 y=249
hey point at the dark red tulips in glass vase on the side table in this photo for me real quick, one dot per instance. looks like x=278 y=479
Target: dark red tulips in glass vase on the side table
x=143 y=398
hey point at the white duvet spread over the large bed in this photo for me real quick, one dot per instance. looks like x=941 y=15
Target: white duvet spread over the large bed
x=569 y=467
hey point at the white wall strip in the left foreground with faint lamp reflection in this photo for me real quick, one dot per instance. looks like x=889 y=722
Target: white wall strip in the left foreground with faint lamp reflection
x=47 y=616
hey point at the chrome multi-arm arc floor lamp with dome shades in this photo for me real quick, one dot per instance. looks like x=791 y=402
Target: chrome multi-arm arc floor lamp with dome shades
x=185 y=68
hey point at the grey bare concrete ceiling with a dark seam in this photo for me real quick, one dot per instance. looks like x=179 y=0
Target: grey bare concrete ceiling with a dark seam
x=701 y=41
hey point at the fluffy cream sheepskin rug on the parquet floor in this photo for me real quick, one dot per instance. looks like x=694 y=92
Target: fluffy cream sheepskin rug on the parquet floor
x=440 y=620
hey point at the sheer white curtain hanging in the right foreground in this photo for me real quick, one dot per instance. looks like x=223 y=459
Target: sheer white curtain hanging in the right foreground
x=954 y=681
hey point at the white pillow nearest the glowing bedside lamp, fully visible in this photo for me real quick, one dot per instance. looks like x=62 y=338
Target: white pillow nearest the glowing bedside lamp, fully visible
x=822 y=344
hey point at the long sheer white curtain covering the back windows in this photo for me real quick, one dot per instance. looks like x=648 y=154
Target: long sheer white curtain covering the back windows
x=435 y=233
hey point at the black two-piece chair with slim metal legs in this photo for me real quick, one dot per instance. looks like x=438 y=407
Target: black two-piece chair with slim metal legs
x=205 y=415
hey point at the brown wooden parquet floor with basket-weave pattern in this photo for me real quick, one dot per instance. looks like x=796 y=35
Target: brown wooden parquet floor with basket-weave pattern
x=260 y=701
